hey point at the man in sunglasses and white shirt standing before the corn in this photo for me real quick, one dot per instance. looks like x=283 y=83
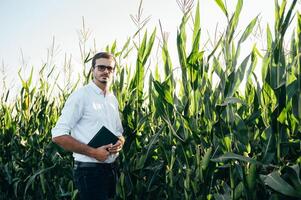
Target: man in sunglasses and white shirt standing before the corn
x=84 y=113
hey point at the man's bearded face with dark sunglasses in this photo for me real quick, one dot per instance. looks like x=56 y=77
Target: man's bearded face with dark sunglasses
x=103 y=70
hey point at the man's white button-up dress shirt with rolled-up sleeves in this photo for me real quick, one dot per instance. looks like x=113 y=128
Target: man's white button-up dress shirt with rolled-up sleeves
x=85 y=112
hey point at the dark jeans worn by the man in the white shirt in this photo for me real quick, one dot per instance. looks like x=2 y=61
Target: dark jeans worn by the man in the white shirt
x=95 y=181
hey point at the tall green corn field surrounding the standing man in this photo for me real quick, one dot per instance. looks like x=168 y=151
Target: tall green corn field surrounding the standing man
x=193 y=137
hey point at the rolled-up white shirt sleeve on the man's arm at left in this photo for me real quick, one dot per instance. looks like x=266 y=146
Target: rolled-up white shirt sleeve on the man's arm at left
x=71 y=114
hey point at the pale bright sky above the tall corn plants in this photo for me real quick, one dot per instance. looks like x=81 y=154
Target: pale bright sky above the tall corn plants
x=29 y=26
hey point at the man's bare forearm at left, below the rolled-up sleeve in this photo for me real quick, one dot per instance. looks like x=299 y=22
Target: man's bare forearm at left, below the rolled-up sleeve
x=71 y=144
